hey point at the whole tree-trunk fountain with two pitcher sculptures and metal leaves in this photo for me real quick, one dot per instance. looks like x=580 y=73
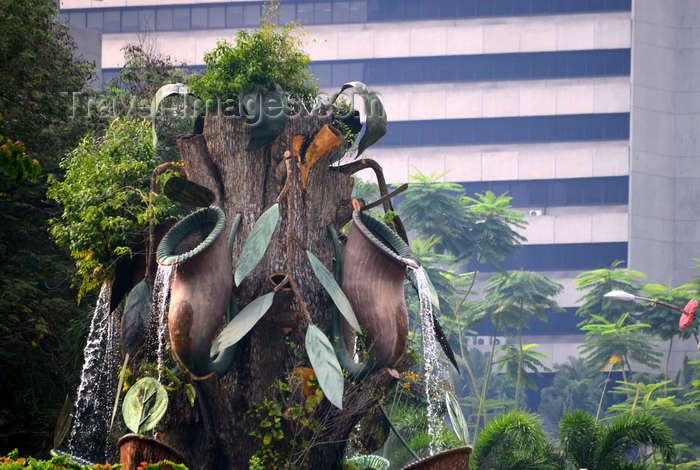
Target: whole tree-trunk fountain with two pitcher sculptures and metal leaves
x=252 y=283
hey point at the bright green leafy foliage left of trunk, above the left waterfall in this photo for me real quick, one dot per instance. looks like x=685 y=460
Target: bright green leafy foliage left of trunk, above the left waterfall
x=106 y=199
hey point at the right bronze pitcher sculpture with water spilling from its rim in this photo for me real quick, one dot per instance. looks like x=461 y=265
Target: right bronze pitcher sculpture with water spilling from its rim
x=375 y=262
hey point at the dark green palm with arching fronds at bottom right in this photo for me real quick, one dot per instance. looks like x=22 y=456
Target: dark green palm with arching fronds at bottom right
x=592 y=445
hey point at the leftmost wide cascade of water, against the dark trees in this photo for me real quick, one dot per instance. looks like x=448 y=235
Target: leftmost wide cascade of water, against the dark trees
x=96 y=393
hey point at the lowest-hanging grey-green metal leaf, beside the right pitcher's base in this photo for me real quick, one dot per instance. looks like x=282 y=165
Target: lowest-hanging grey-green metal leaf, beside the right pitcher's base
x=325 y=365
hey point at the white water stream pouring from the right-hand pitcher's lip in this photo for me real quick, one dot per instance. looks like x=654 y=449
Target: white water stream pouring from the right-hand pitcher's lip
x=433 y=367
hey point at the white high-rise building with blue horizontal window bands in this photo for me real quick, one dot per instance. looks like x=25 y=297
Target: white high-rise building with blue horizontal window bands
x=587 y=112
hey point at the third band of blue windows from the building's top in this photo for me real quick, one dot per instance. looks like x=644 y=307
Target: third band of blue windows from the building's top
x=528 y=129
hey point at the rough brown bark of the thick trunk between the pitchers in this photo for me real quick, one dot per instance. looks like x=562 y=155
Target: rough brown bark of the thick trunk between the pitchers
x=214 y=434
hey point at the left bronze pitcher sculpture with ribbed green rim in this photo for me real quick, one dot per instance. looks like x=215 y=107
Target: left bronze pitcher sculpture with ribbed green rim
x=200 y=290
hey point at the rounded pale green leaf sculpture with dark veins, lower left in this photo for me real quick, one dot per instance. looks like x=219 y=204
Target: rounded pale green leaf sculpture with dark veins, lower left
x=144 y=405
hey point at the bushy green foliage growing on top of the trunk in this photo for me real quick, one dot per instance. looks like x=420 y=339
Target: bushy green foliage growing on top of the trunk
x=259 y=61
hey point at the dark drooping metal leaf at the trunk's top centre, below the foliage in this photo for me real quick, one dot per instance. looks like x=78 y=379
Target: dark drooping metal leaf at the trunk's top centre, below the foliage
x=269 y=123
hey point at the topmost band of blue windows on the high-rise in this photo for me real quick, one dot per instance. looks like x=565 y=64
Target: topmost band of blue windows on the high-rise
x=246 y=14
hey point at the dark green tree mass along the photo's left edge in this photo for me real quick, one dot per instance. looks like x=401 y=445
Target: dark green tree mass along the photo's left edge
x=37 y=305
